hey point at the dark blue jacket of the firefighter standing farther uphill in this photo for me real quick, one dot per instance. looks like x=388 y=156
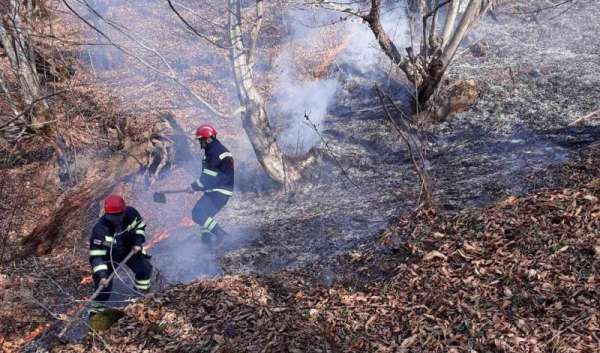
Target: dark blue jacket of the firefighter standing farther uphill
x=217 y=170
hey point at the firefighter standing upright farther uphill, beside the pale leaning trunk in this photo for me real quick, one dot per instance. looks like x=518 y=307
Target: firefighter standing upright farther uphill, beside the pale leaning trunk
x=217 y=183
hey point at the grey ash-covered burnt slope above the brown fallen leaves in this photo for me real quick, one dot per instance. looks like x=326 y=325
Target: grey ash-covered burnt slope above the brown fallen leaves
x=538 y=78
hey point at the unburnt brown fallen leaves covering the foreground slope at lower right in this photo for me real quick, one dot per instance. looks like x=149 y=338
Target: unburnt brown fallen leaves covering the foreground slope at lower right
x=521 y=276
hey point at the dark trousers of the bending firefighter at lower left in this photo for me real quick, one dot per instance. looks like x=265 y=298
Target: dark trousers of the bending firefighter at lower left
x=139 y=264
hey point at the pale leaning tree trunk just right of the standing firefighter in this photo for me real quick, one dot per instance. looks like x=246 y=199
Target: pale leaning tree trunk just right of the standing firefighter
x=254 y=116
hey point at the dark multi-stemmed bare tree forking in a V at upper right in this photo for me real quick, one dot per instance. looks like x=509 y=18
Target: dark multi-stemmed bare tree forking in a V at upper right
x=424 y=67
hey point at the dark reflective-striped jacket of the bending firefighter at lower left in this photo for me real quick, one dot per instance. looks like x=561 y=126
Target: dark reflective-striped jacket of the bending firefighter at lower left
x=104 y=236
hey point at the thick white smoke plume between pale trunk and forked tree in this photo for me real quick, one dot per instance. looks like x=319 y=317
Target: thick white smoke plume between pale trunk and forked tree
x=356 y=59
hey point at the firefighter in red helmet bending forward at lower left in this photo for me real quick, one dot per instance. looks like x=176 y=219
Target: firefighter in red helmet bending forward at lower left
x=120 y=231
